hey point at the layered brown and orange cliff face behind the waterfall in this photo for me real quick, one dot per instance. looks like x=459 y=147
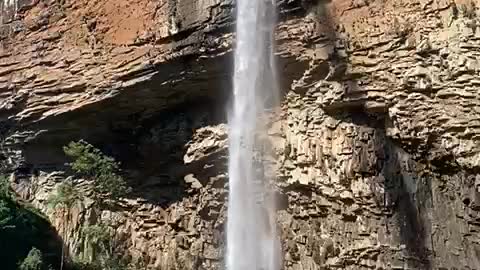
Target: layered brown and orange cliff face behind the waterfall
x=376 y=145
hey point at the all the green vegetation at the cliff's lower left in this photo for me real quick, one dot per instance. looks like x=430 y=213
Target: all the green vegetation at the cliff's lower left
x=27 y=240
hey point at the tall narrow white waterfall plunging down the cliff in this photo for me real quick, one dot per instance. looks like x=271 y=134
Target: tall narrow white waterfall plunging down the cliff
x=252 y=242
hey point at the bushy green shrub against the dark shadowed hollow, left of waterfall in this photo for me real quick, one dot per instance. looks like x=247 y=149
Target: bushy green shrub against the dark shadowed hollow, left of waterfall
x=91 y=163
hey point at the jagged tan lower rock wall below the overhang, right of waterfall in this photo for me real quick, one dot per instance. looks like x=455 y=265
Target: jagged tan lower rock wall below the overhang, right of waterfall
x=358 y=200
